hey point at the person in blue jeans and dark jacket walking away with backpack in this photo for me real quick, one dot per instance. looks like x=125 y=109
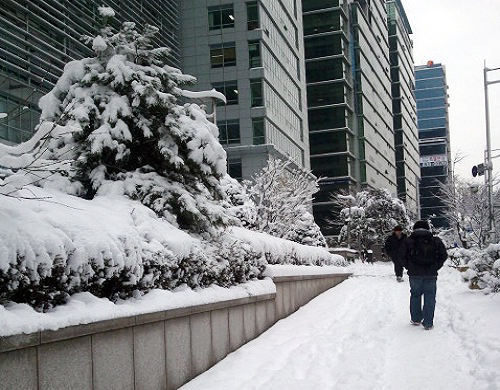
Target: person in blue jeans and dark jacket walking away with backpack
x=423 y=255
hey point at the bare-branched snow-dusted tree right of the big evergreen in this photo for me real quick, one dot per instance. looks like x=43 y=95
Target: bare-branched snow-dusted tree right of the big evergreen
x=283 y=197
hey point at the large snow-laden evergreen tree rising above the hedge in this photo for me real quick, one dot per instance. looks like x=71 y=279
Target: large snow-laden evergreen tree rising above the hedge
x=127 y=130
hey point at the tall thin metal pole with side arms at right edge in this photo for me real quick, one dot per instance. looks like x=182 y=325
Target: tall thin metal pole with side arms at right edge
x=488 y=166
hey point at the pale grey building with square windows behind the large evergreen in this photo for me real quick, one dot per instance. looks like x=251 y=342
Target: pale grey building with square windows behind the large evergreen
x=253 y=52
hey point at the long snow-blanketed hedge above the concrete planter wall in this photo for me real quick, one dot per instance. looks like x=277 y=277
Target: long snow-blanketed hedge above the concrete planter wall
x=56 y=245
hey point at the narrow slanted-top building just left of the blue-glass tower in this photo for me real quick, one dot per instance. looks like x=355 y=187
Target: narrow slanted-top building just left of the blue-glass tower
x=404 y=106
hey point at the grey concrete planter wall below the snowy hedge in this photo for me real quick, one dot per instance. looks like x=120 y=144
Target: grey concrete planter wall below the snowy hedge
x=161 y=350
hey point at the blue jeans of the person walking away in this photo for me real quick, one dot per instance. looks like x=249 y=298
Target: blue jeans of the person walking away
x=426 y=286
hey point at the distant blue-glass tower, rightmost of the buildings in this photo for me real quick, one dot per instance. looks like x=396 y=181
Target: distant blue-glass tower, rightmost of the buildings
x=431 y=92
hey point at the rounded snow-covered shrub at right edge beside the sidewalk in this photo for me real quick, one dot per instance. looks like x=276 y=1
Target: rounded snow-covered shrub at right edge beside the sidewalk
x=484 y=270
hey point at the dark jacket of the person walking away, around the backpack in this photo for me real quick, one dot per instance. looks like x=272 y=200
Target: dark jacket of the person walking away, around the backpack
x=417 y=269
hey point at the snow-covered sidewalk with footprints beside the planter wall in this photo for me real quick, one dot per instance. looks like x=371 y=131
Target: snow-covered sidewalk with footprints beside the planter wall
x=357 y=336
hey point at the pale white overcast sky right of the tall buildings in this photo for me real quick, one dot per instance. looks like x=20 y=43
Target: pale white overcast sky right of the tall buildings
x=462 y=34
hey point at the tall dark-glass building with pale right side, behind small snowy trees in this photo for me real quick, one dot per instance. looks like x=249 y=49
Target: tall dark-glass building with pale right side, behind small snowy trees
x=349 y=99
